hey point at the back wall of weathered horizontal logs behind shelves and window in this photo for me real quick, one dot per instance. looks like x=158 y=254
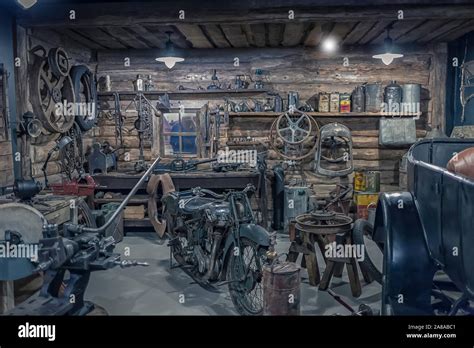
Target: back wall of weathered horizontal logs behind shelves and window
x=304 y=70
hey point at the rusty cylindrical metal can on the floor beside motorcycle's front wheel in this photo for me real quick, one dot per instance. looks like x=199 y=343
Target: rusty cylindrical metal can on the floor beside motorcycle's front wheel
x=281 y=289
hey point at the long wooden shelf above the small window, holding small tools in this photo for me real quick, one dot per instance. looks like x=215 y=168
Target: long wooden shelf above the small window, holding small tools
x=185 y=94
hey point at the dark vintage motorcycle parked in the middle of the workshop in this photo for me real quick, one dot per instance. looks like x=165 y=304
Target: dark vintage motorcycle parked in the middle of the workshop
x=215 y=239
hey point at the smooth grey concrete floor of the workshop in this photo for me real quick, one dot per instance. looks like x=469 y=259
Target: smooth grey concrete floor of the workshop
x=159 y=290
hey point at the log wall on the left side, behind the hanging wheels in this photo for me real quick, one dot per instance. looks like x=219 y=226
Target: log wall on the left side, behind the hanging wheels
x=79 y=55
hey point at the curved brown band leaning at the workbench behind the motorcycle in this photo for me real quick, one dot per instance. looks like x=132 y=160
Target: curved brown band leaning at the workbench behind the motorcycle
x=165 y=182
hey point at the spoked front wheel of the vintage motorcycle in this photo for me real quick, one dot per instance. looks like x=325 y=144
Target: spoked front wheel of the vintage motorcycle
x=244 y=272
